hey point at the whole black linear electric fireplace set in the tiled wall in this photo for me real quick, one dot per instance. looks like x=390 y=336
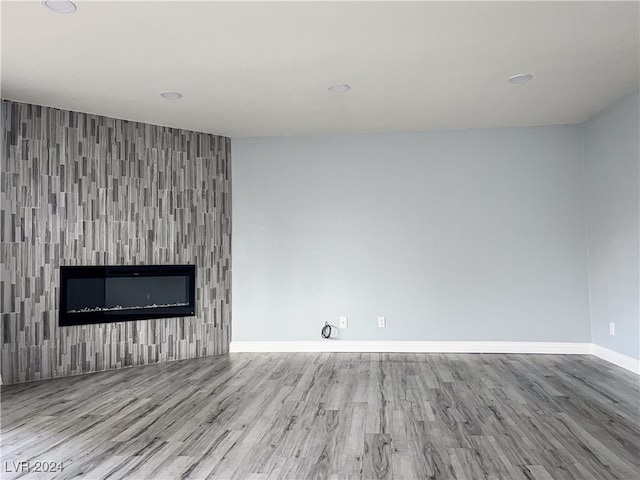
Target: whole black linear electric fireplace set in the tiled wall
x=122 y=293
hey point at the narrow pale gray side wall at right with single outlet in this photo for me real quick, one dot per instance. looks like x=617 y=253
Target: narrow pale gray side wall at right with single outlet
x=612 y=186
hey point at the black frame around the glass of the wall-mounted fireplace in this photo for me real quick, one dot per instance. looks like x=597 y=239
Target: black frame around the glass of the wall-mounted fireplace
x=66 y=318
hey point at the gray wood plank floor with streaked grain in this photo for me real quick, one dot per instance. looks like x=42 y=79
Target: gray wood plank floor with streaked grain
x=339 y=415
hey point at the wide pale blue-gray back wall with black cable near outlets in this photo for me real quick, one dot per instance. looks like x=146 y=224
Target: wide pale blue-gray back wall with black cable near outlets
x=452 y=235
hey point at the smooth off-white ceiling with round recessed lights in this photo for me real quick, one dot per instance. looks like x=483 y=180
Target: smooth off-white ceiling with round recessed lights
x=263 y=68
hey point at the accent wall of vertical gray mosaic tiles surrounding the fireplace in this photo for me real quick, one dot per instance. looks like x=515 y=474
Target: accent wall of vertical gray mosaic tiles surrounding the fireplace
x=79 y=189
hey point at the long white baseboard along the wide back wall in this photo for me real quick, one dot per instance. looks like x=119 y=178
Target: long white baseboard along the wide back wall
x=413 y=347
